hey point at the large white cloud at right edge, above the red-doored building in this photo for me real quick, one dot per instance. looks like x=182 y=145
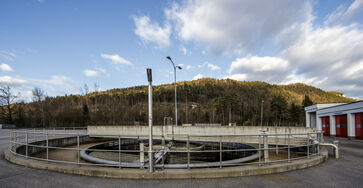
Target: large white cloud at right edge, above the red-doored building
x=332 y=52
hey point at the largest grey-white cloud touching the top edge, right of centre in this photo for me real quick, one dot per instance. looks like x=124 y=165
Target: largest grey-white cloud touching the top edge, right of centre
x=235 y=26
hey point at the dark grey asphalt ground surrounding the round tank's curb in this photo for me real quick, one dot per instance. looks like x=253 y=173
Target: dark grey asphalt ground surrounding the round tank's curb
x=345 y=172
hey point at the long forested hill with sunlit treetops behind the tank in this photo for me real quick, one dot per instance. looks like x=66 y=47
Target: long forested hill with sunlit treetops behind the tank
x=201 y=101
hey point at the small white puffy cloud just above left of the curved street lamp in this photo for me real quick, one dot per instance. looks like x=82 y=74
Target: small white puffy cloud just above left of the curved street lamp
x=152 y=32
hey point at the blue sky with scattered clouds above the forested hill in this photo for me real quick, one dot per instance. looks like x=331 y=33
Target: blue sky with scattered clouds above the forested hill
x=61 y=45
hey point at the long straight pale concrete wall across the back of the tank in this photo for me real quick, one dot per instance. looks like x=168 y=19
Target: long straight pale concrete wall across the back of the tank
x=181 y=132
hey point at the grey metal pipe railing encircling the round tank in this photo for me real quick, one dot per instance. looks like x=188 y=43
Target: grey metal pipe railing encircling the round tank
x=66 y=147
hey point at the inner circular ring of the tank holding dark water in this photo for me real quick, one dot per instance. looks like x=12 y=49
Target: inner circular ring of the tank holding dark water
x=170 y=154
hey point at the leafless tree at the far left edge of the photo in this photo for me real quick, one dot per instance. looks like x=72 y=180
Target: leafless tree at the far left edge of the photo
x=7 y=98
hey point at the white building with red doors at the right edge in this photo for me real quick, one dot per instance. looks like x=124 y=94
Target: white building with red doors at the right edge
x=337 y=119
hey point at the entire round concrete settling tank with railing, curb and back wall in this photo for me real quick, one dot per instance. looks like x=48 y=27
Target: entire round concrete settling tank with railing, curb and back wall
x=122 y=151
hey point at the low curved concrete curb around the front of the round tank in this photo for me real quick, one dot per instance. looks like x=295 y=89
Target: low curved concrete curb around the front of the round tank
x=247 y=170
